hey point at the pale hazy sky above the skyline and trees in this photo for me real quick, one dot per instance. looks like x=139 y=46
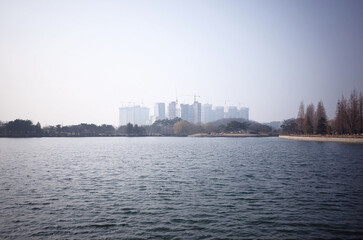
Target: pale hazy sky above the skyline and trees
x=78 y=61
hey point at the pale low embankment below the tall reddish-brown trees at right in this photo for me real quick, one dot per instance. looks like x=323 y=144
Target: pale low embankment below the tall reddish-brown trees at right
x=339 y=138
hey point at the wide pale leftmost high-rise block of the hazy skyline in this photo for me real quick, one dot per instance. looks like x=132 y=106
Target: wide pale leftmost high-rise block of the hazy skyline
x=134 y=115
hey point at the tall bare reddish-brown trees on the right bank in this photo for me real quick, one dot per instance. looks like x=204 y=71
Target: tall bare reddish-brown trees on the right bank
x=348 y=118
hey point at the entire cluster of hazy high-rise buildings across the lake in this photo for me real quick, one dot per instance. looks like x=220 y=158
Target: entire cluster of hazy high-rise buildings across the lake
x=194 y=113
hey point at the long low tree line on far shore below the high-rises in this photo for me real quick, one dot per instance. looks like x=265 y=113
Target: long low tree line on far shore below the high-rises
x=165 y=127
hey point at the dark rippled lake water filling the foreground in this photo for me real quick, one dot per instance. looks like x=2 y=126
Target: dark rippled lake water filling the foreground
x=179 y=188
